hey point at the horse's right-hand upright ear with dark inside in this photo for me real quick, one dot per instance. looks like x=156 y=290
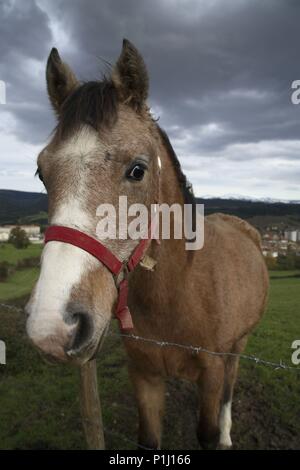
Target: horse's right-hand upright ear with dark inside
x=130 y=77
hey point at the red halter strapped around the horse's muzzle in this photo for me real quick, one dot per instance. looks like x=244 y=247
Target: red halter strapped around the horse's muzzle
x=105 y=256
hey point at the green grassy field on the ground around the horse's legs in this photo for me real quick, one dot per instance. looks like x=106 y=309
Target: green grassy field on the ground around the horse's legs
x=39 y=406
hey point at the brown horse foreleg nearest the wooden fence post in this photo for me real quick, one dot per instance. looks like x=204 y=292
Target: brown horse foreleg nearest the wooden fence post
x=150 y=392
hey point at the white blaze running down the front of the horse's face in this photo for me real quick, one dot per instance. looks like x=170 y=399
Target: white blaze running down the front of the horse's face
x=63 y=265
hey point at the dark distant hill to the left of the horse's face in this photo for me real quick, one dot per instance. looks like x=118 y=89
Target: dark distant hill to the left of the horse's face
x=22 y=207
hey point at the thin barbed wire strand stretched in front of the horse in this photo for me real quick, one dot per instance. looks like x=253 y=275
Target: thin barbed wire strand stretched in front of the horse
x=193 y=349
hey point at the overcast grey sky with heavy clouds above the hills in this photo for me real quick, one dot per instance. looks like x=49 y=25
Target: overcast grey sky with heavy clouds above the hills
x=220 y=81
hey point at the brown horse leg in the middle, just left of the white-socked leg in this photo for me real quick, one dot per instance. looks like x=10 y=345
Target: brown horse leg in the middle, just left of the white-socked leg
x=211 y=391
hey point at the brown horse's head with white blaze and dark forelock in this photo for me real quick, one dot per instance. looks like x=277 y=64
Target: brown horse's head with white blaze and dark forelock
x=105 y=145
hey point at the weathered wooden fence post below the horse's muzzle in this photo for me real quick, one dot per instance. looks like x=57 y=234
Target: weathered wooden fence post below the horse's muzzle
x=90 y=406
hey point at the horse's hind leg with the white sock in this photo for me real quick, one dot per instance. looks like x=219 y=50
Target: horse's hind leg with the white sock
x=231 y=368
